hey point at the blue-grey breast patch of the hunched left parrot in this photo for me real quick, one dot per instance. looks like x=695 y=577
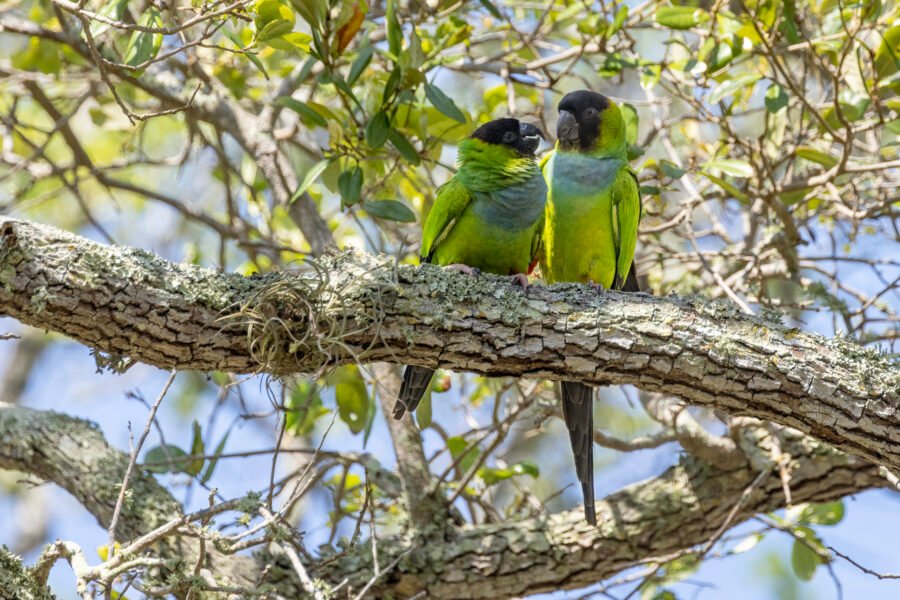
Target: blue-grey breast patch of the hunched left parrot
x=515 y=207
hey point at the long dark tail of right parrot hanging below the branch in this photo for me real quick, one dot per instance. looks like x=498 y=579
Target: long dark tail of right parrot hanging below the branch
x=578 y=410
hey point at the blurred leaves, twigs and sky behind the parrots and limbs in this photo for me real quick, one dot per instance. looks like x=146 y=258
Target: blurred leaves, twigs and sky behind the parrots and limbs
x=248 y=135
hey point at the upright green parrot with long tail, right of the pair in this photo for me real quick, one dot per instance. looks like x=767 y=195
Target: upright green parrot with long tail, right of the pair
x=590 y=233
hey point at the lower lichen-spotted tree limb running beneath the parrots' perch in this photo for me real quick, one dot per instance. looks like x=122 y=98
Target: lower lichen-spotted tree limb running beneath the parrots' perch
x=645 y=522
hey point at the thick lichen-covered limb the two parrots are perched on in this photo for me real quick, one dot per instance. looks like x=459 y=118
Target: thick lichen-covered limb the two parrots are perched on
x=358 y=307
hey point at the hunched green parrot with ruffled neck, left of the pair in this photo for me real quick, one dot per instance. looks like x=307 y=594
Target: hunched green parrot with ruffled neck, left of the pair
x=488 y=217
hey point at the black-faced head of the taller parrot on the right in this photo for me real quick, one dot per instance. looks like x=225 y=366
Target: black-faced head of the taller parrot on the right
x=590 y=122
